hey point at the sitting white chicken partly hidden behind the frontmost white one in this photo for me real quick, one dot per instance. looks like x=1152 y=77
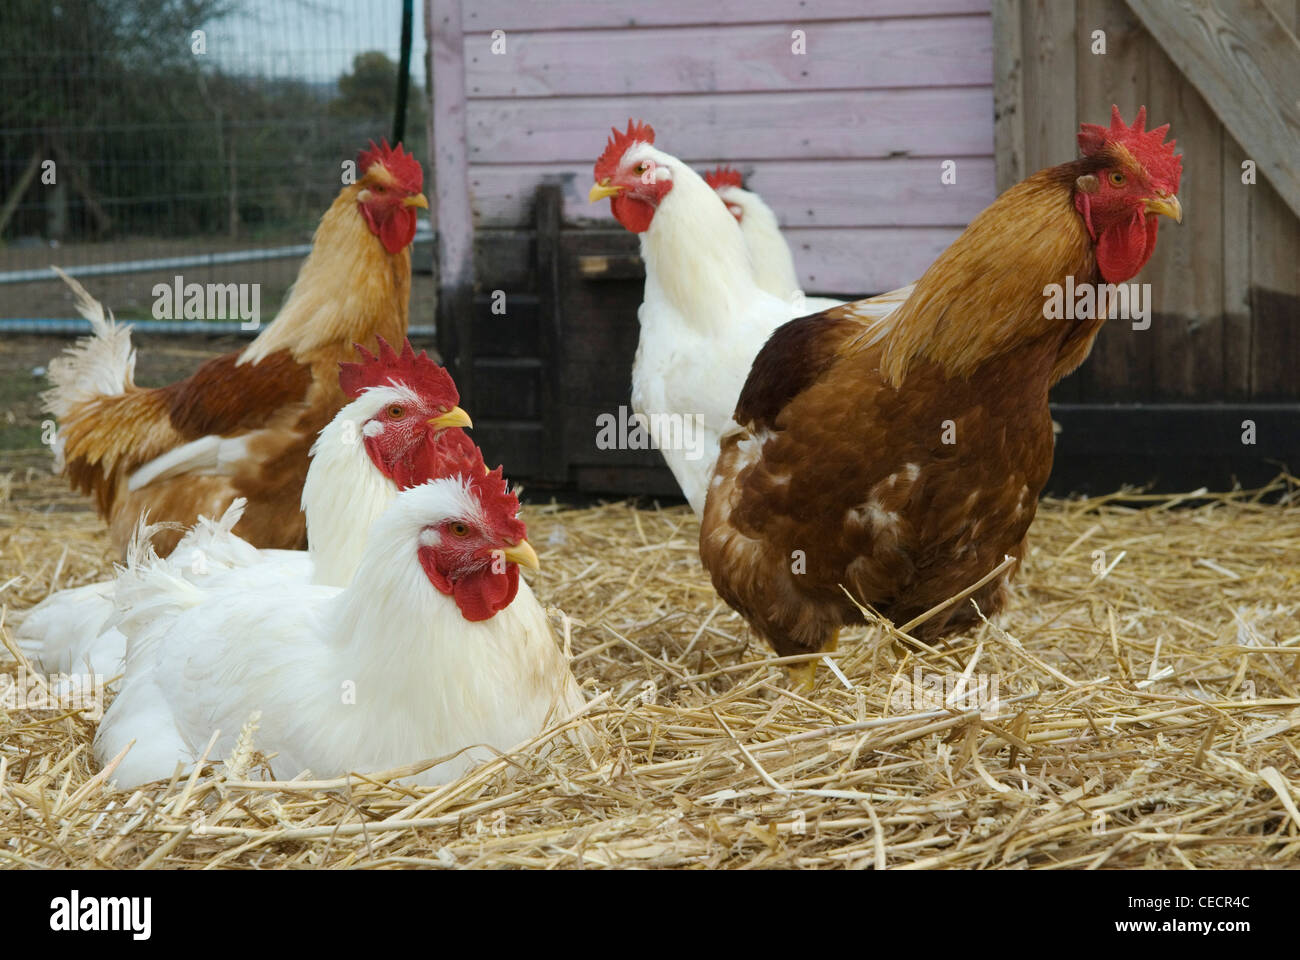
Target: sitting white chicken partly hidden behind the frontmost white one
x=402 y=429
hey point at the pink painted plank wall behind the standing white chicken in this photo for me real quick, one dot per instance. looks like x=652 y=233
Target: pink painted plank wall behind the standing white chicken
x=846 y=142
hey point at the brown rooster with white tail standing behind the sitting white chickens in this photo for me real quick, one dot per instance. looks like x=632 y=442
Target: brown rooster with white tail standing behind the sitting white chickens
x=244 y=423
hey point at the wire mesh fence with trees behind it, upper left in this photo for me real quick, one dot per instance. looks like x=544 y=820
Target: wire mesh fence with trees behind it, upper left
x=138 y=131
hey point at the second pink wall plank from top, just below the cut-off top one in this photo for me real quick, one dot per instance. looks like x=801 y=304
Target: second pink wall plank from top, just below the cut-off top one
x=929 y=53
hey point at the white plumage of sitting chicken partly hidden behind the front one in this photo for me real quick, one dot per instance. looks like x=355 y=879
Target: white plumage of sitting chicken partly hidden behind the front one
x=73 y=632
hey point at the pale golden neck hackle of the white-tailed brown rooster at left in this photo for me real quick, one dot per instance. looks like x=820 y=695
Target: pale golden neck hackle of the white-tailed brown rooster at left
x=349 y=289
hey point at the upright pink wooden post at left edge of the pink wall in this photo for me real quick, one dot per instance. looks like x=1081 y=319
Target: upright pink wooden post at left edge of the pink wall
x=449 y=168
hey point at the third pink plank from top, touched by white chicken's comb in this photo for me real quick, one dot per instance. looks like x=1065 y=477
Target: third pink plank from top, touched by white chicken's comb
x=954 y=122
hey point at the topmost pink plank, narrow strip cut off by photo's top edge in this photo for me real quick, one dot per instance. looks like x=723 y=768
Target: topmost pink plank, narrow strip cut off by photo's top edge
x=486 y=16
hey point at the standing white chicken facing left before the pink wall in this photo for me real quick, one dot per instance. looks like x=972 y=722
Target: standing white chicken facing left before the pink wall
x=703 y=319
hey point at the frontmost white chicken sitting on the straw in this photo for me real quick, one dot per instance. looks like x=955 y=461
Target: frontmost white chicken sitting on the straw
x=428 y=654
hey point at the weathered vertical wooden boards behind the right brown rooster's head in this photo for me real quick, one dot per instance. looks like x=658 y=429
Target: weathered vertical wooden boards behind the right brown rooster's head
x=1227 y=283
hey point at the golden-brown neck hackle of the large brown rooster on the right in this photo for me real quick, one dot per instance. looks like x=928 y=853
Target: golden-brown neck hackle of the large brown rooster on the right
x=985 y=296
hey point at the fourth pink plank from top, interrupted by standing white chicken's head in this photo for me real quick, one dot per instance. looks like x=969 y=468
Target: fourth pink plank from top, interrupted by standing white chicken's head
x=831 y=193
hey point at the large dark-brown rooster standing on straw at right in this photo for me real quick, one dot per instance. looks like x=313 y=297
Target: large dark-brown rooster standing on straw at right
x=900 y=459
